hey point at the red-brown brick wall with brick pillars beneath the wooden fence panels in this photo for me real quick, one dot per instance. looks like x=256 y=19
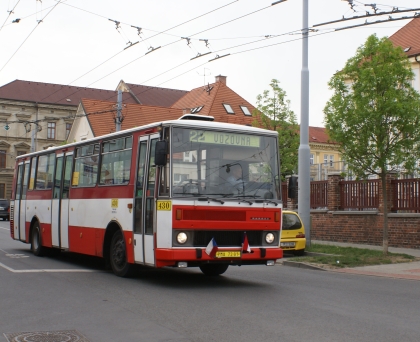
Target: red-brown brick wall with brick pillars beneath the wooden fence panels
x=363 y=227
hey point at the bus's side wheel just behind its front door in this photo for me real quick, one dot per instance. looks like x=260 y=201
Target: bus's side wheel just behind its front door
x=118 y=256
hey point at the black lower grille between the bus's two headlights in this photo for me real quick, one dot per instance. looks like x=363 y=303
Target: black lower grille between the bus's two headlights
x=226 y=238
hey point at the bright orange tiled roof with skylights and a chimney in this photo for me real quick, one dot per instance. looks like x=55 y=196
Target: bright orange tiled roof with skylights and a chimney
x=212 y=97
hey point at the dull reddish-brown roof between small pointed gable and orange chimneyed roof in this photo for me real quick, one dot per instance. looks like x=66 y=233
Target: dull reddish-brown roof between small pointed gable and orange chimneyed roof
x=155 y=96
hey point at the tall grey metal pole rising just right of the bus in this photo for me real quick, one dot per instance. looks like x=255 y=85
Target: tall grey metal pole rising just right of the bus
x=304 y=155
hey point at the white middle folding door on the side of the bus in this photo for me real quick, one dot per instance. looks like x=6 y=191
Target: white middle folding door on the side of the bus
x=60 y=201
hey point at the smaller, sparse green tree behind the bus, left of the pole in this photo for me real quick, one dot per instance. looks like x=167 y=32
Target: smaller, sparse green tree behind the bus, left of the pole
x=273 y=112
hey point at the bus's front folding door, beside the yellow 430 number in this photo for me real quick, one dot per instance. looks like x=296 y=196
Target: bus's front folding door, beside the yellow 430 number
x=144 y=238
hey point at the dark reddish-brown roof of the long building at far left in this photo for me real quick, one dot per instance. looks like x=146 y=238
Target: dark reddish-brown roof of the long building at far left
x=56 y=93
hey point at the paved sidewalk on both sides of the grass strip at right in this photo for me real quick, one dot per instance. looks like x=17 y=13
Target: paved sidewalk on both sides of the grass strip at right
x=408 y=270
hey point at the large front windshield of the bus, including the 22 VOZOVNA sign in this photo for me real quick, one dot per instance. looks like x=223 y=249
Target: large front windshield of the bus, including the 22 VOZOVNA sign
x=224 y=164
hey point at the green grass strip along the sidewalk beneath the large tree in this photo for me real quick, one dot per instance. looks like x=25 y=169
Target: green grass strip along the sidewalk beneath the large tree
x=340 y=257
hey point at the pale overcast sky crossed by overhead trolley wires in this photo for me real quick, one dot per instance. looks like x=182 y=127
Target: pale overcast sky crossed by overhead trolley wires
x=76 y=43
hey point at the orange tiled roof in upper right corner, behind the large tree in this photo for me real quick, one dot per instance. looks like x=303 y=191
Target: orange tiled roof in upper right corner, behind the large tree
x=408 y=37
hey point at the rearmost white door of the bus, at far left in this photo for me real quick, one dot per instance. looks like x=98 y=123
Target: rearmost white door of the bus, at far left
x=20 y=202
